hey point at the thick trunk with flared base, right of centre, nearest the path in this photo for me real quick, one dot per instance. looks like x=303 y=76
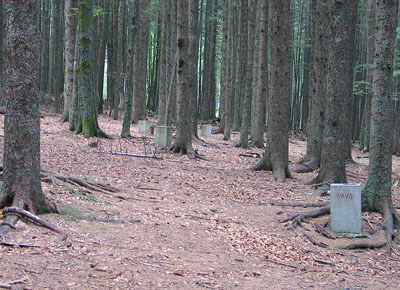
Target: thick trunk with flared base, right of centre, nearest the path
x=276 y=155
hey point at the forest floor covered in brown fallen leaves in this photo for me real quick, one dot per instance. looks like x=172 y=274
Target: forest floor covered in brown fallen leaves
x=178 y=223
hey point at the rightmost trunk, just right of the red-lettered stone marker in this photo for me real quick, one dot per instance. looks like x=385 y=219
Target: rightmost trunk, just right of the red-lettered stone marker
x=377 y=195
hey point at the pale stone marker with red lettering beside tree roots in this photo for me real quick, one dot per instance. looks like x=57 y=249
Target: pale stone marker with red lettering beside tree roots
x=346 y=208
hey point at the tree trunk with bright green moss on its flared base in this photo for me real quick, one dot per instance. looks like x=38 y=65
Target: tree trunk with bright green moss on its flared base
x=87 y=123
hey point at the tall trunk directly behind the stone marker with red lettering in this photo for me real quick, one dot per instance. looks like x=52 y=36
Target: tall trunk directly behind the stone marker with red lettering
x=340 y=75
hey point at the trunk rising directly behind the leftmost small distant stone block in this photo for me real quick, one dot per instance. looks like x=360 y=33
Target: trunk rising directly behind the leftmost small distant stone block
x=140 y=62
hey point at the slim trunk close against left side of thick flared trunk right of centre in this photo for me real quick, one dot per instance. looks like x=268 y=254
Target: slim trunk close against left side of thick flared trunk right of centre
x=259 y=113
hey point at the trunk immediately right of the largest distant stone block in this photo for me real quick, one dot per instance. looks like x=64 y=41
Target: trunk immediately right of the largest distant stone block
x=183 y=142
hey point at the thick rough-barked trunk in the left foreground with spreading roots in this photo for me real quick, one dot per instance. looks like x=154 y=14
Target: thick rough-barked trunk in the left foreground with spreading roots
x=22 y=184
